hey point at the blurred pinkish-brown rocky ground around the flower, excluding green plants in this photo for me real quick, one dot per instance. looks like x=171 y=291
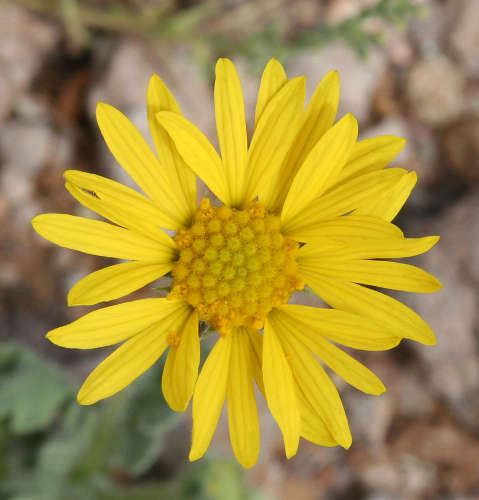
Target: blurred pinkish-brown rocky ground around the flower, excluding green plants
x=420 y=440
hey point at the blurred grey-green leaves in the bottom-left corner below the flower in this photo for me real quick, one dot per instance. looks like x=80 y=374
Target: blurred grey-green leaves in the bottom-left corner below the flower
x=51 y=448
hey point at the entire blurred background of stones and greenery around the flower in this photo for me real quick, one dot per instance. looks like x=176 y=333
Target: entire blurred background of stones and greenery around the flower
x=407 y=67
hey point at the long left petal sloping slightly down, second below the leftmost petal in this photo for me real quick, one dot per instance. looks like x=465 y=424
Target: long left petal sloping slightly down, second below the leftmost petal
x=114 y=324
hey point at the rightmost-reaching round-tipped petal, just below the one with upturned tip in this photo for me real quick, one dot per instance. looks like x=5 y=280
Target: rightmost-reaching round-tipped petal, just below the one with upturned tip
x=392 y=275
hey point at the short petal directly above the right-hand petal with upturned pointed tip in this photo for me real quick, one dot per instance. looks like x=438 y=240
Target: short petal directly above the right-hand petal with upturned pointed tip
x=350 y=230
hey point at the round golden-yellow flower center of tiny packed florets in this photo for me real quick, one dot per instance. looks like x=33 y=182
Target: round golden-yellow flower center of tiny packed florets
x=234 y=265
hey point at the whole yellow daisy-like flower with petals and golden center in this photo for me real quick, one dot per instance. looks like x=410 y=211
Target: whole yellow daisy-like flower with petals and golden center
x=305 y=203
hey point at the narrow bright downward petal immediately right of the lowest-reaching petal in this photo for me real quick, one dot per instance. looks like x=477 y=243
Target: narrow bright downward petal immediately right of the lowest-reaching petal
x=280 y=389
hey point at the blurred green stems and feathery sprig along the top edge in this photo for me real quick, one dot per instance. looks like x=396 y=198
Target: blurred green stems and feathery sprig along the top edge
x=208 y=27
